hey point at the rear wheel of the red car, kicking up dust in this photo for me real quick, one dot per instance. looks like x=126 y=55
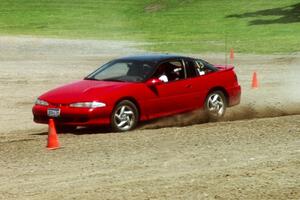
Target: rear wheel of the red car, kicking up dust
x=215 y=105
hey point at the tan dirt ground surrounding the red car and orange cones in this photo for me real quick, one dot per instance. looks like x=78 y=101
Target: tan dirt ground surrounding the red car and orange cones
x=254 y=153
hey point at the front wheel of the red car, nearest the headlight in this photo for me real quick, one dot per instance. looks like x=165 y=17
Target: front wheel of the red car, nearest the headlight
x=124 y=117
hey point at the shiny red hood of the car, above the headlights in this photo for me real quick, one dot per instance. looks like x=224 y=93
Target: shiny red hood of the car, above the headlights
x=80 y=91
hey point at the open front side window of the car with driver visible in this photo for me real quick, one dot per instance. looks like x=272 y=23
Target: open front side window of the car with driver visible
x=170 y=71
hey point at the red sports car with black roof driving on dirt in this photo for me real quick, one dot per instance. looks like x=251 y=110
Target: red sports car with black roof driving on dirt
x=128 y=90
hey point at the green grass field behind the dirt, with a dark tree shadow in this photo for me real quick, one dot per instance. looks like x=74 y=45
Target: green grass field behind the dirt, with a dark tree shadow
x=188 y=26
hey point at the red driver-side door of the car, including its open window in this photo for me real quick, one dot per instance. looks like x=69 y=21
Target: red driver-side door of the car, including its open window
x=172 y=96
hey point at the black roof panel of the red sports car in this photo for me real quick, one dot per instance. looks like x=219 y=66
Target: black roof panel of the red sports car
x=152 y=57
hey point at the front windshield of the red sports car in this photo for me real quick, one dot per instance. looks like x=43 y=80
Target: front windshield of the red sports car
x=123 y=71
